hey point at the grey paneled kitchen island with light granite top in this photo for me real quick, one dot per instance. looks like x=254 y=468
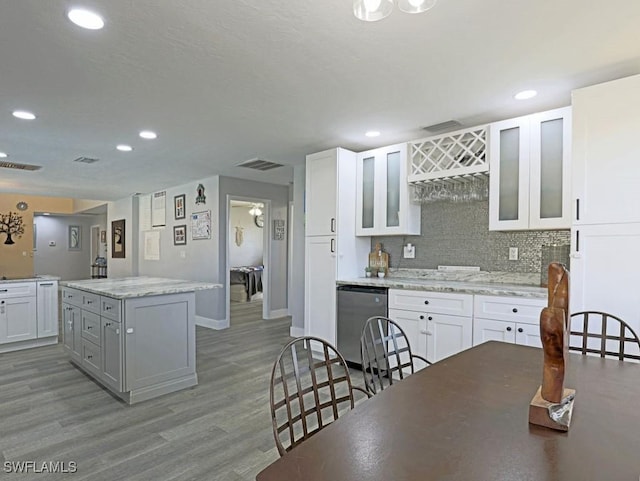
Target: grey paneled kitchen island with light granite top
x=133 y=335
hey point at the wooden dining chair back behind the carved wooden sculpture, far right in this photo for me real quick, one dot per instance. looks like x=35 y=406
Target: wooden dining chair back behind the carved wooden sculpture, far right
x=595 y=332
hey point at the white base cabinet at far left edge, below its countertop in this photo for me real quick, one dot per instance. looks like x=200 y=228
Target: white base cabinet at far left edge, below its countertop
x=28 y=313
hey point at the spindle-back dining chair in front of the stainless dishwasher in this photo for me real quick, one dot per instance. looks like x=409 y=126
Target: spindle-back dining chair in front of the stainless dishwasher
x=386 y=353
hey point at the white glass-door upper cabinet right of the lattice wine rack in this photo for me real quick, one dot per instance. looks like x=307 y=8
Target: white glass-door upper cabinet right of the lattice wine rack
x=530 y=172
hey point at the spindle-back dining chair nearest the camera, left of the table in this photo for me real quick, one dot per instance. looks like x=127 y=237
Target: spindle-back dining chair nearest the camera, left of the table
x=310 y=388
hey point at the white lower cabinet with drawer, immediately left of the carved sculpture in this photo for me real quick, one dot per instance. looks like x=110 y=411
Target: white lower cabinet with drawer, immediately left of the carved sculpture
x=507 y=319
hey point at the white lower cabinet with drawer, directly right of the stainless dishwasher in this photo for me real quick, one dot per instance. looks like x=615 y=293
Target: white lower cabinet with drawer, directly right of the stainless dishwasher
x=438 y=325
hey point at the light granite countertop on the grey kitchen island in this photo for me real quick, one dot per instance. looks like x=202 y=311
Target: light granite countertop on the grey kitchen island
x=128 y=287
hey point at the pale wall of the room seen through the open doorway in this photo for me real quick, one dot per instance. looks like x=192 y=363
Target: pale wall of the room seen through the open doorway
x=249 y=253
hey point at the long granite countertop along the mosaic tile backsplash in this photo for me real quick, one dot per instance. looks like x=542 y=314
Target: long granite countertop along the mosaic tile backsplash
x=462 y=282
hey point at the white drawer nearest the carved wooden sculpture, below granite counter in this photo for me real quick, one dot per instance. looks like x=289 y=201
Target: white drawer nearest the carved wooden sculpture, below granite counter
x=515 y=309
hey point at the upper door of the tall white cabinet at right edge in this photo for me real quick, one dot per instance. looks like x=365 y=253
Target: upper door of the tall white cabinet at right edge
x=606 y=150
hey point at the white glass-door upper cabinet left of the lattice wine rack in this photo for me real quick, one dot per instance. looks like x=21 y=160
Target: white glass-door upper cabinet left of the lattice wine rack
x=383 y=204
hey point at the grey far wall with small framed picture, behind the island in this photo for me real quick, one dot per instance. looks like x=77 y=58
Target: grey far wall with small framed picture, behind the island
x=58 y=260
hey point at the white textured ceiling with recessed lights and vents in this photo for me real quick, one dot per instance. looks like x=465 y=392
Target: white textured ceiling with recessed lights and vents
x=227 y=81
